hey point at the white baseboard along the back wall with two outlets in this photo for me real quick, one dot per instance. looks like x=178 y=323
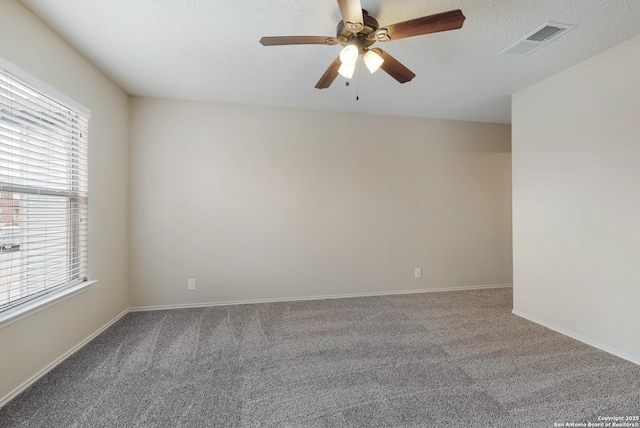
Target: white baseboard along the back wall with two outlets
x=322 y=297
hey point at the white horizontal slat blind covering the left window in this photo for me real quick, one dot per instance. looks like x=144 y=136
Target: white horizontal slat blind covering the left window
x=43 y=194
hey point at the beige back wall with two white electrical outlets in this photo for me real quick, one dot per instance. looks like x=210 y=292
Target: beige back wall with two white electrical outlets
x=266 y=203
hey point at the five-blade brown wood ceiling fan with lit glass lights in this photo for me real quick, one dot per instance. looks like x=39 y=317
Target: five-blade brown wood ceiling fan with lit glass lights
x=358 y=31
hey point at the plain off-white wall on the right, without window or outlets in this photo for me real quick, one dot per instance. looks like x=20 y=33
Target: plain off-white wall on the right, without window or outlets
x=576 y=200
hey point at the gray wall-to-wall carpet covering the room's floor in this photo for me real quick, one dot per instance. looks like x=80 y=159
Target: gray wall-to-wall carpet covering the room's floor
x=454 y=359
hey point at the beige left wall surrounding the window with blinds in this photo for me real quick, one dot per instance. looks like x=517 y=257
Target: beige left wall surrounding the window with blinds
x=32 y=343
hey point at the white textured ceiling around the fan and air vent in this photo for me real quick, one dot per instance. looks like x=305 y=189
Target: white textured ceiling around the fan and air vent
x=209 y=50
